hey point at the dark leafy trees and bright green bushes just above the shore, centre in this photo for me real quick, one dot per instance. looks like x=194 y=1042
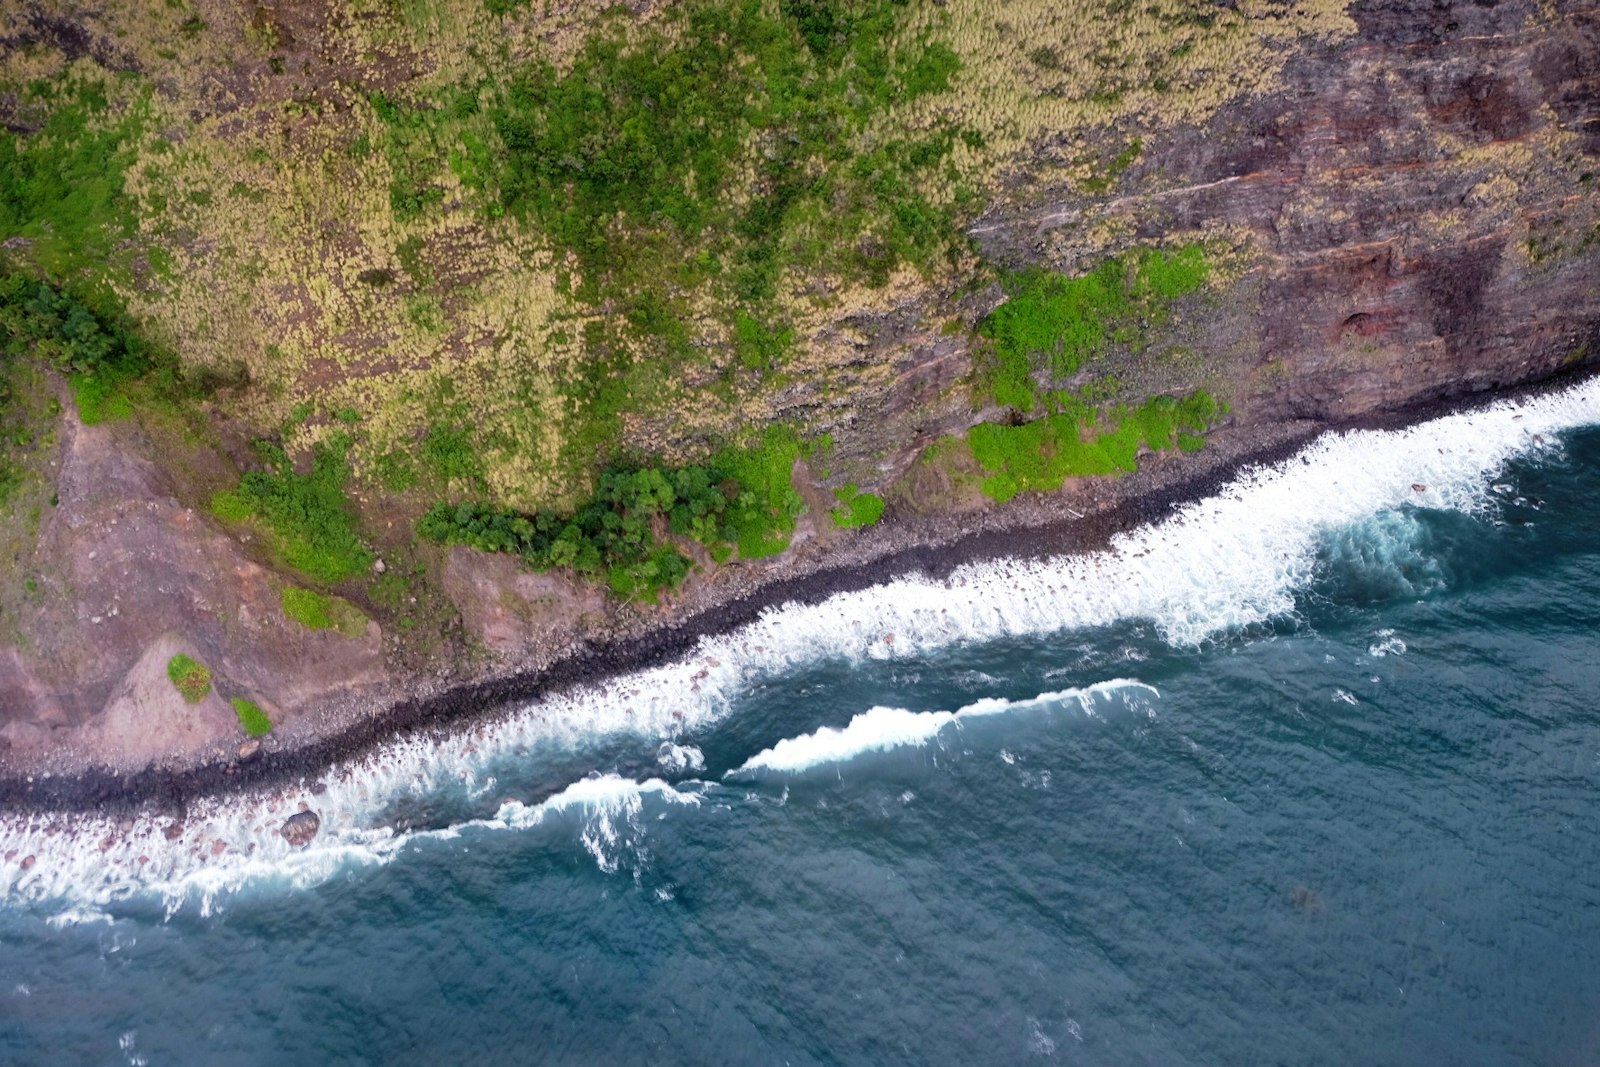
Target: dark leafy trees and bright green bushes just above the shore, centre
x=742 y=500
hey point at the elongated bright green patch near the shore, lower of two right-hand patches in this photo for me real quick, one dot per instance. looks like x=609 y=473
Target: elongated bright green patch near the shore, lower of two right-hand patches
x=1041 y=455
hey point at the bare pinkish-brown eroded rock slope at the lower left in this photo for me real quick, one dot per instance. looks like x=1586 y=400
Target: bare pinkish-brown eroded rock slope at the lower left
x=130 y=577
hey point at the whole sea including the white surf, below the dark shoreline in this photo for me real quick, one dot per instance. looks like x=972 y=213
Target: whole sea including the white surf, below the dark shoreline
x=1310 y=773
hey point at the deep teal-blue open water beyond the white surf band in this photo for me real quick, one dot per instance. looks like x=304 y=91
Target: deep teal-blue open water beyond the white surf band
x=1366 y=833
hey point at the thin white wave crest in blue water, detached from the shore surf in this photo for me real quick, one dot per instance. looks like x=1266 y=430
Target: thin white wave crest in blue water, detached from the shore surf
x=884 y=729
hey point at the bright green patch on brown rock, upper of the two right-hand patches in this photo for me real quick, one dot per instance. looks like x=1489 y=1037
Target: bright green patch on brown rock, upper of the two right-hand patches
x=1055 y=324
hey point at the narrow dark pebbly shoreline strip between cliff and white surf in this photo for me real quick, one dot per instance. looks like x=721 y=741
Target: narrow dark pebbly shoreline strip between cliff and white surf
x=1034 y=530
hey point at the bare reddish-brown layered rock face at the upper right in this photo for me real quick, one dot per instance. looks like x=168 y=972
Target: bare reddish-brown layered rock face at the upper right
x=1417 y=212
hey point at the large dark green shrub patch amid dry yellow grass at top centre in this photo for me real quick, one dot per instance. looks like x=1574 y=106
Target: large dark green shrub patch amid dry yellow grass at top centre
x=649 y=134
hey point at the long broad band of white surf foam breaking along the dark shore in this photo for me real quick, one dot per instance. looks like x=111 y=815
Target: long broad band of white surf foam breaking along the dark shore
x=1230 y=561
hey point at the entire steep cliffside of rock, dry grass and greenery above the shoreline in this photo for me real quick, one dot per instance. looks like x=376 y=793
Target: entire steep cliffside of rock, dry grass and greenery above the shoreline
x=1300 y=215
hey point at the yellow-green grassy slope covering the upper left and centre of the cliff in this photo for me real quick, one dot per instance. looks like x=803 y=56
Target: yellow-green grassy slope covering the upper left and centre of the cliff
x=482 y=250
